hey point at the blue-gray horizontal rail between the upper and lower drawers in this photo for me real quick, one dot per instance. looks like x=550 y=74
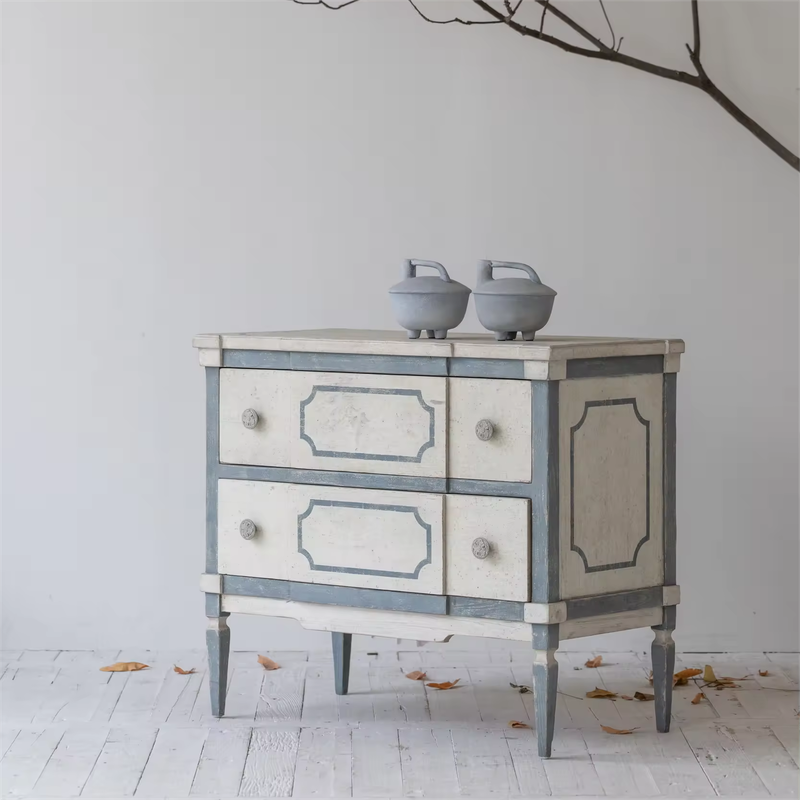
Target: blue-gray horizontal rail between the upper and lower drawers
x=361 y=480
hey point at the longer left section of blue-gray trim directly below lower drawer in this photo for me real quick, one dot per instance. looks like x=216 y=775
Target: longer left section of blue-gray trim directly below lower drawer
x=377 y=599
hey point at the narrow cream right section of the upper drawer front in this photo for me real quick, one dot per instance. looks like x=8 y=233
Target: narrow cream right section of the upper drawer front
x=506 y=405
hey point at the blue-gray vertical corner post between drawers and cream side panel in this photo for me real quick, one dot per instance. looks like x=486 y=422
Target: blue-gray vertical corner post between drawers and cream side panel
x=544 y=493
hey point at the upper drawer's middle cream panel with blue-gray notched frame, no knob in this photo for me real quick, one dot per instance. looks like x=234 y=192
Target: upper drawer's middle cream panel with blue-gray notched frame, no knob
x=391 y=424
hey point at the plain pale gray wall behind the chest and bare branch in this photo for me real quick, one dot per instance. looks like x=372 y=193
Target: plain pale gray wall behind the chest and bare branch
x=176 y=167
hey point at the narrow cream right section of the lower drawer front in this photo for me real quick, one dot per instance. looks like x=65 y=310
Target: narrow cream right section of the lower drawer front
x=504 y=523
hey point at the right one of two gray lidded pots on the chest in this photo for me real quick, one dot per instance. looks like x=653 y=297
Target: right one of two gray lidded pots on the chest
x=508 y=305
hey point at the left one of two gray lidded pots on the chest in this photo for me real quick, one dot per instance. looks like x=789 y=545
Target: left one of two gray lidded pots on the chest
x=428 y=303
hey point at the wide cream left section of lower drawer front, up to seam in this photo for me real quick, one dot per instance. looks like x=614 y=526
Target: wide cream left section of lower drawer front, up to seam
x=346 y=537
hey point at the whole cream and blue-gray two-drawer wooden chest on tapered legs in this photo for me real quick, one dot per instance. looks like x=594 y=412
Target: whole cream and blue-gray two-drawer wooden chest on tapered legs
x=362 y=483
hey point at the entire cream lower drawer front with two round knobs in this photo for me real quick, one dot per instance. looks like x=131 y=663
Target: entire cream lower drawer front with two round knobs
x=375 y=539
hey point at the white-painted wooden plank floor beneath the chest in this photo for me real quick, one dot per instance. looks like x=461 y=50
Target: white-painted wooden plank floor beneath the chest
x=69 y=730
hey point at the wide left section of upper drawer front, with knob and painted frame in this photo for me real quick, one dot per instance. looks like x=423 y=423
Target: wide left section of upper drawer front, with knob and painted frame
x=392 y=424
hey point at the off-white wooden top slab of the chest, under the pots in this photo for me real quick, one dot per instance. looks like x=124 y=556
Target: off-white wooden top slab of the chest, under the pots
x=459 y=345
